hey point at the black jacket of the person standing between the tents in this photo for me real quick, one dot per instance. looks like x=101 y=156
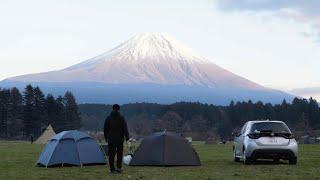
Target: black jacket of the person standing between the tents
x=115 y=128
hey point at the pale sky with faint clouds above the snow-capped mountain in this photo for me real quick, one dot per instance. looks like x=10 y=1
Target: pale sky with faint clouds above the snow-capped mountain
x=274 y=43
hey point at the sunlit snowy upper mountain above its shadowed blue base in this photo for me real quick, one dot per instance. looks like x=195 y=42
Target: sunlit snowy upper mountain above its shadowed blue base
x=147 y=58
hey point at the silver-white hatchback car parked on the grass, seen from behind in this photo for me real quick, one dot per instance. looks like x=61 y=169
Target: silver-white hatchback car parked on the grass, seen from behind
x=265 y=140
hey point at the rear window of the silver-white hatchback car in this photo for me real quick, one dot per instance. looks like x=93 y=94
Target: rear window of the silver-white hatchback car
x=275 y=127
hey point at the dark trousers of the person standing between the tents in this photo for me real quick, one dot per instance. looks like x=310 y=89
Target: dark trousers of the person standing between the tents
x=113 y=150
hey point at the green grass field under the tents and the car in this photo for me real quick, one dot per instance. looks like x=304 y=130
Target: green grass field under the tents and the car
x=17 y=161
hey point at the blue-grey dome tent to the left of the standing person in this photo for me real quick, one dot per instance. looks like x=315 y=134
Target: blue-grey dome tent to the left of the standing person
x=71 y=148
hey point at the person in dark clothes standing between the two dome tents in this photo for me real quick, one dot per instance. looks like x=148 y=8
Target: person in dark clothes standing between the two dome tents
x=115 y=132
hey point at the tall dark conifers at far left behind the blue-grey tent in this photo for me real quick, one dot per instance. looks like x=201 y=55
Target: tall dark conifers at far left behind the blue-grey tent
x=27 y=114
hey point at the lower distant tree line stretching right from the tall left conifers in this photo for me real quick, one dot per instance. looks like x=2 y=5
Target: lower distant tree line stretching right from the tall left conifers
x=203 y=120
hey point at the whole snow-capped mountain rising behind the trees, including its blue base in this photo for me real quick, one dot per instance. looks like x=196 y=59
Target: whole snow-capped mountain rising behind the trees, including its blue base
x=151 y=67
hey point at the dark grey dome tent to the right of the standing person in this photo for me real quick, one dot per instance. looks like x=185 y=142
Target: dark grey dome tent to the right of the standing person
x=165 y=149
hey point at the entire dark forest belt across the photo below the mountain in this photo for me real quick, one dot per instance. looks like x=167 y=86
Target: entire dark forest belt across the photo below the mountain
x=28 y=113
